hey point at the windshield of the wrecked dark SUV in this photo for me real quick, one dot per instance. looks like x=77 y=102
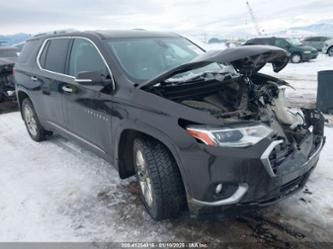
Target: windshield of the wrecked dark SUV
x=143 y=59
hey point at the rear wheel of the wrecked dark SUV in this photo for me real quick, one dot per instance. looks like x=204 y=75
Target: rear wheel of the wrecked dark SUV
x=34 y=128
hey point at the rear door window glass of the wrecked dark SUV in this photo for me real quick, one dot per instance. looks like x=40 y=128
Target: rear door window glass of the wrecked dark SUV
x=56 y=54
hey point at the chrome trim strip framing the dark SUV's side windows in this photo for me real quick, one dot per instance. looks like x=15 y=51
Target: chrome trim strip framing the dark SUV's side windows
x=66 y=75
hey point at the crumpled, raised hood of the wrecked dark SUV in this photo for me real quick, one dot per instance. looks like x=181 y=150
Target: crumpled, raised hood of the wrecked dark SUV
x=247 y=59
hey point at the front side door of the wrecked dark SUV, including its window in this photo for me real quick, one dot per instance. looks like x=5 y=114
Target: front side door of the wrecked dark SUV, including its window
x=86 y=109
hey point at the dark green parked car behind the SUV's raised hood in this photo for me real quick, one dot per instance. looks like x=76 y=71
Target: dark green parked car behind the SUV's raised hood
x=297 y=52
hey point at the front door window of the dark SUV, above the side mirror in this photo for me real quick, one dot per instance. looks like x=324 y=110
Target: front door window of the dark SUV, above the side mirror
x=85 y=57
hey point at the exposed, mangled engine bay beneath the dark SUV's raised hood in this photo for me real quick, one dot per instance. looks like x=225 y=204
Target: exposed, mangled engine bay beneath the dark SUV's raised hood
x=237 y=97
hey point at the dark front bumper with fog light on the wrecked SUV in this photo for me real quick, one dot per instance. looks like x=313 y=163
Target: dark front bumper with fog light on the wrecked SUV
x=249 y=177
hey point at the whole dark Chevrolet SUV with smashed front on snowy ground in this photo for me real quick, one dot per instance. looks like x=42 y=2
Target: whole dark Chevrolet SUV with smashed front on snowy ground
x=202 y=132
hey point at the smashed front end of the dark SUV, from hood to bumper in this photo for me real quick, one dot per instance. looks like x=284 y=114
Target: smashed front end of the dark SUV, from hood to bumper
x=272 y=148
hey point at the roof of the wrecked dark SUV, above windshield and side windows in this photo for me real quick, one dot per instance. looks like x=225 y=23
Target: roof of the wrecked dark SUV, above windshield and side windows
x=107 y=34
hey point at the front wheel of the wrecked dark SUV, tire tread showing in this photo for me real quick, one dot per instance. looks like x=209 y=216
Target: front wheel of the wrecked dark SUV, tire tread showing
x=157 y=169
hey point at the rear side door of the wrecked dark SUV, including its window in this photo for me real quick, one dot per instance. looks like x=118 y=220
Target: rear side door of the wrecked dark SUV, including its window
x=52 y=63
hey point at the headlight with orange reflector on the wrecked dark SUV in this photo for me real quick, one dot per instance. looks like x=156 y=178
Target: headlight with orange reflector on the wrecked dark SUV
x=230 y=137
